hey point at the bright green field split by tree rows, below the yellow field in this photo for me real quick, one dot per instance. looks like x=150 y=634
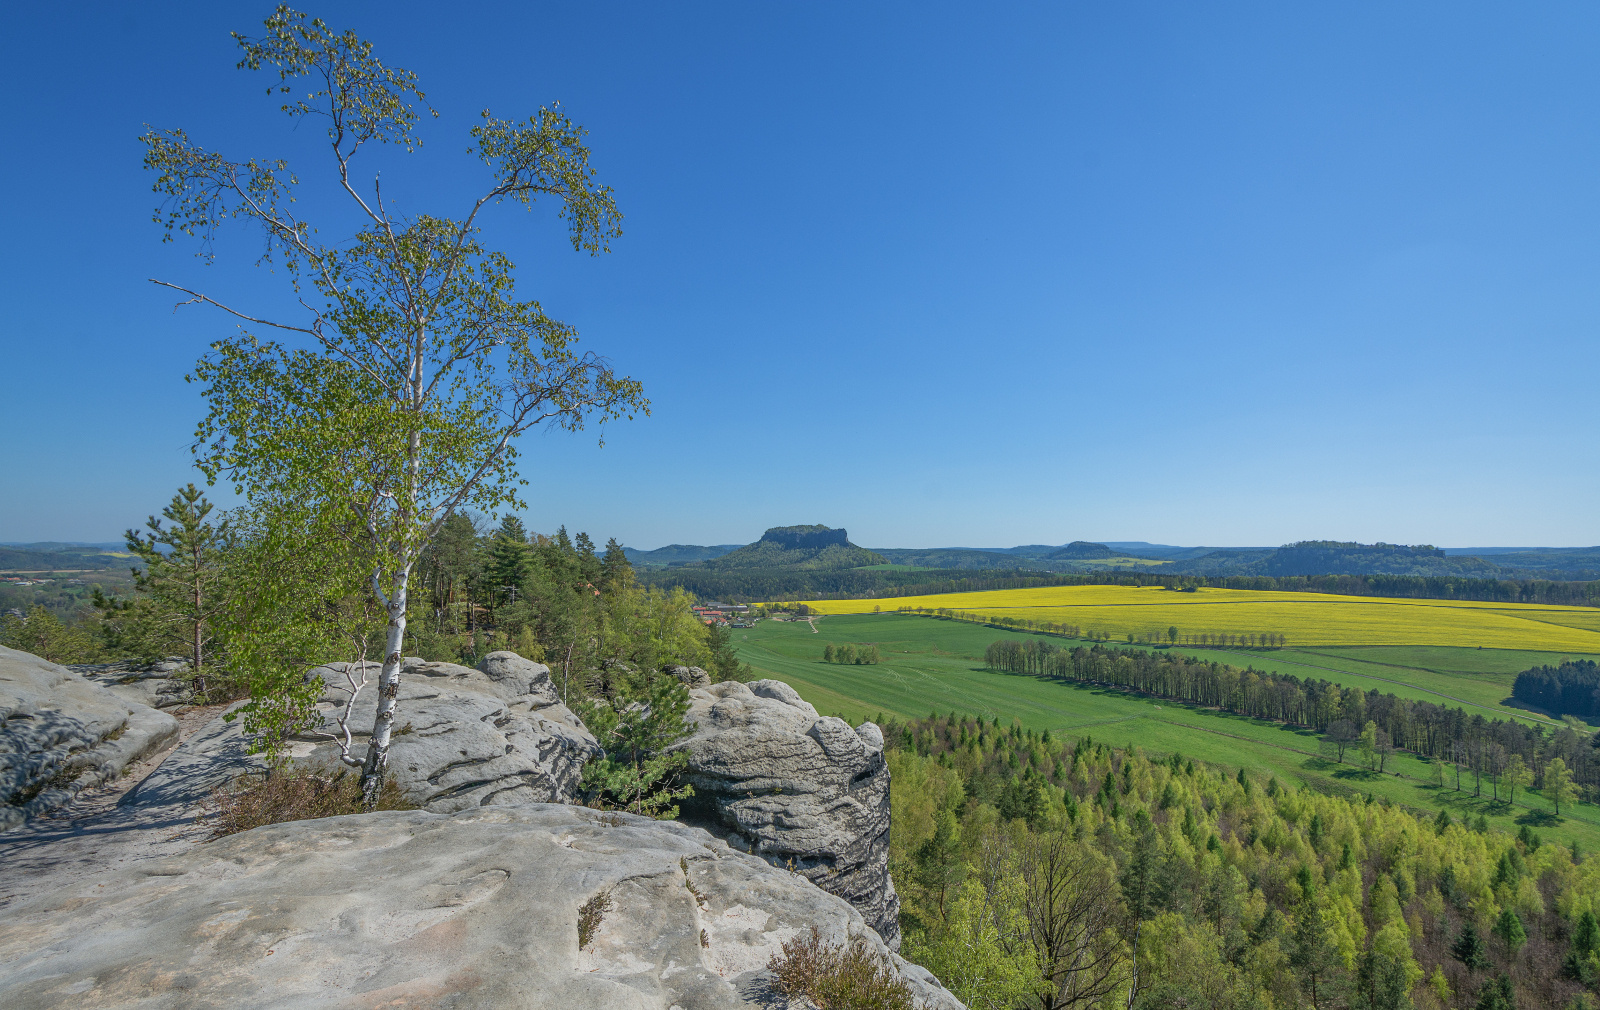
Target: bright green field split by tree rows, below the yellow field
x=934 y=665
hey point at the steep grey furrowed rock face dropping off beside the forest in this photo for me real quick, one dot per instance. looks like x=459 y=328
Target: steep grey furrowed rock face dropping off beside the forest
x=799 y=790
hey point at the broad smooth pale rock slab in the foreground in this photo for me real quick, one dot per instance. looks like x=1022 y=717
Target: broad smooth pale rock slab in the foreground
x=412 y=908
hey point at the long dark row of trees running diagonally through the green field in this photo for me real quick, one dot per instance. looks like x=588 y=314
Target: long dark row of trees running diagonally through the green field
x=1447 y=735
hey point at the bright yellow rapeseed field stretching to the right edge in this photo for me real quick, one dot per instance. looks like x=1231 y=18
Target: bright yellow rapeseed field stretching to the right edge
x=1305 y=619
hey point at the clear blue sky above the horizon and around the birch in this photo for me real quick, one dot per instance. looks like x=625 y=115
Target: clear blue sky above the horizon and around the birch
x=942 y=275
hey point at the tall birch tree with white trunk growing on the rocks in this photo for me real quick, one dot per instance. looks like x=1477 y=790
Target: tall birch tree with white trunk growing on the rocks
x=396 y=395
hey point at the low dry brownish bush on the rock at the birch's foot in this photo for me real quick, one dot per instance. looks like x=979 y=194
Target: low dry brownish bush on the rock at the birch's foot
x=290 y=796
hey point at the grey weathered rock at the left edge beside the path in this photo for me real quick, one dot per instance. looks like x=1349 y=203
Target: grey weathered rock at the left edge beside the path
x=60 y=735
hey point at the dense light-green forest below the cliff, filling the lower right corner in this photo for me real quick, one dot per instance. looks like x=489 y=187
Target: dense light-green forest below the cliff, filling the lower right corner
x=1052 y=875
